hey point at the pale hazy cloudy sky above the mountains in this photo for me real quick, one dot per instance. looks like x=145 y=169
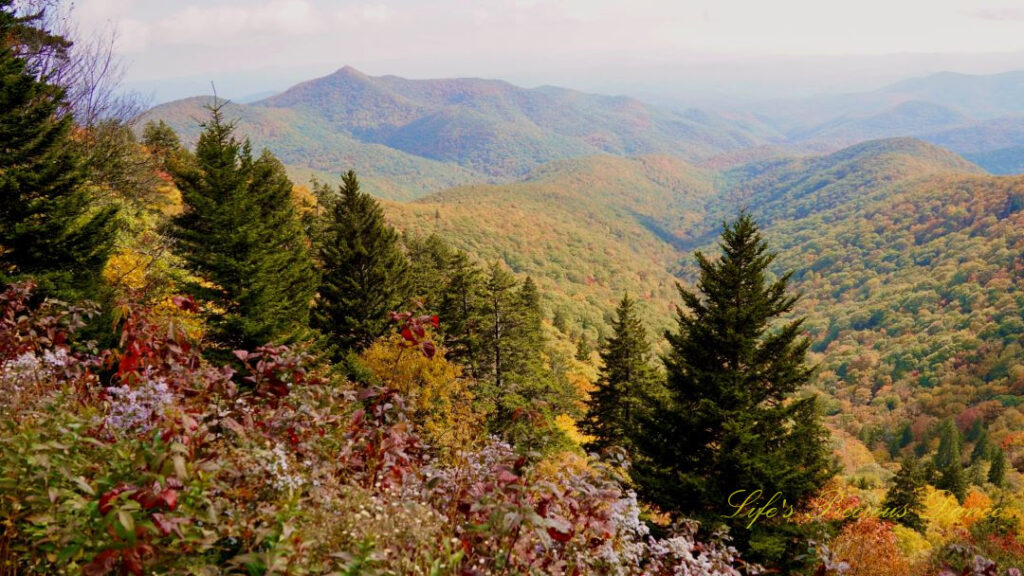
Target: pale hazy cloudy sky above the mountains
x=663 y=49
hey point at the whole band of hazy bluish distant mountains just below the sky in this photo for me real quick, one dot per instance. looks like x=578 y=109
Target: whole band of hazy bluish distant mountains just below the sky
x=413 y=138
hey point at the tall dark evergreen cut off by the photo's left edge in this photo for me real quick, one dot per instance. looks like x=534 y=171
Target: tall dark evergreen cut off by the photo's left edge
x=52 y=229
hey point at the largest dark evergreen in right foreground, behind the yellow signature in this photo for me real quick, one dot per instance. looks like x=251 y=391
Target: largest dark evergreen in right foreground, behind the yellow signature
x=733 y=423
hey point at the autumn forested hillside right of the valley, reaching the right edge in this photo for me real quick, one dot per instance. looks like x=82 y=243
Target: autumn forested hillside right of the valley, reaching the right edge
x=911 y=261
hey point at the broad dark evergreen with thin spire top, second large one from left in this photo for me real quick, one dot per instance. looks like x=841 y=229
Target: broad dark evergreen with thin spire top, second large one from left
x=241 y=234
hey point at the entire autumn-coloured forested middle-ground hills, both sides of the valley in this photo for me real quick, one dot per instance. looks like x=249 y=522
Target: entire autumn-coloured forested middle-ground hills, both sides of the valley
x=910 y=259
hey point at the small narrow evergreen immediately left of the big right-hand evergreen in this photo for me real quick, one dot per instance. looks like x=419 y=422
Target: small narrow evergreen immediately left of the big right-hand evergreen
x=625 y=386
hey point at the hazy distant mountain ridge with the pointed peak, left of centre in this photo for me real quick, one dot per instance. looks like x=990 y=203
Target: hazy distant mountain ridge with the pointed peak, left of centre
x=410 y=138
